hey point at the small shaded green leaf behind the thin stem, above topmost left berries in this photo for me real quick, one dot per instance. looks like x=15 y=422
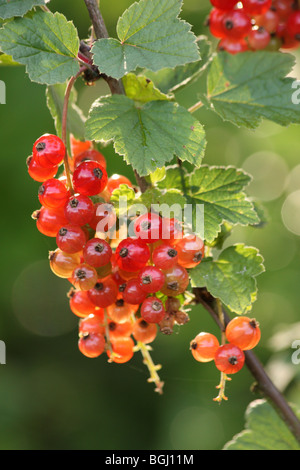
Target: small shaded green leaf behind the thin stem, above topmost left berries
x=55 y=100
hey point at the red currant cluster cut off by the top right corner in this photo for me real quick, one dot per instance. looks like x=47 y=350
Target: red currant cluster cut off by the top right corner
x=255 y=24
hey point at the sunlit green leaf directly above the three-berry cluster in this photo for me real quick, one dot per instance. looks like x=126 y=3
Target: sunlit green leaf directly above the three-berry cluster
x=232 y=277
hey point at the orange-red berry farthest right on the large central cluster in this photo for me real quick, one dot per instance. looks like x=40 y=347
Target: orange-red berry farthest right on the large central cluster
x=190 y=251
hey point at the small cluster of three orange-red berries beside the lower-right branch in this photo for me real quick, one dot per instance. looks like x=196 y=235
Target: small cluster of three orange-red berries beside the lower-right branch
x=242 y=334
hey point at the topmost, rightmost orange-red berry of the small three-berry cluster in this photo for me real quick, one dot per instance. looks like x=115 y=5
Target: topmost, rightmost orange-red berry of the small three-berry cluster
x=243 y=332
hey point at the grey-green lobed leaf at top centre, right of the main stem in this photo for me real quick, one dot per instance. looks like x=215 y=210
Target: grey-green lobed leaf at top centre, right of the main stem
x=150 y=36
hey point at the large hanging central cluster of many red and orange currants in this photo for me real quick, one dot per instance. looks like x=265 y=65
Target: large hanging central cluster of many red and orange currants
x=122 y=289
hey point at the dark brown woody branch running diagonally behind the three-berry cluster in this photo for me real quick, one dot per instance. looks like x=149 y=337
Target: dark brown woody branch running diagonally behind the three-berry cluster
x=264 y=383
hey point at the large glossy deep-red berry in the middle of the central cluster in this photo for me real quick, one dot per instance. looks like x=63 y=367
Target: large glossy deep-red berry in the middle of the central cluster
x=132 y=255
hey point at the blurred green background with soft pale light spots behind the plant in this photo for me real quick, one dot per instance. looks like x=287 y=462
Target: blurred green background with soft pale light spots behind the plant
x=52 y=397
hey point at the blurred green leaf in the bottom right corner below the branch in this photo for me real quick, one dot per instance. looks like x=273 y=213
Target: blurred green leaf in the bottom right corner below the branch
x=264 y=430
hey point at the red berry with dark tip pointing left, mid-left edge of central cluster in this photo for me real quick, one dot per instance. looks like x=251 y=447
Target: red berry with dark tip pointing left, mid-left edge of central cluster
x=49 y=221
